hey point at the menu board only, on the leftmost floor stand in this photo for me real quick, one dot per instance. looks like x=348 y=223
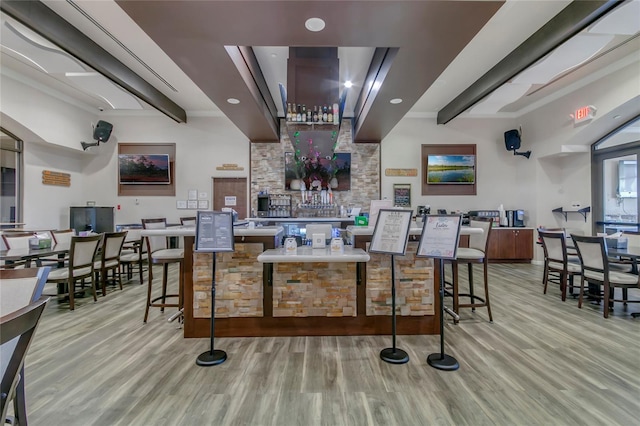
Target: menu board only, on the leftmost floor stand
x=214 y=231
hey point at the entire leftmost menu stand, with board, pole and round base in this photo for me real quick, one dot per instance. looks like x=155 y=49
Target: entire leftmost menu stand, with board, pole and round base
x=214 y=233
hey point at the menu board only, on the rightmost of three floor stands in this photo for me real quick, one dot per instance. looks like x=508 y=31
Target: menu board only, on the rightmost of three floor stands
x=440 y=236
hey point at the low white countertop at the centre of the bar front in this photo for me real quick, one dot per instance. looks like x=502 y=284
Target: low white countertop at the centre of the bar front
x=308 y=254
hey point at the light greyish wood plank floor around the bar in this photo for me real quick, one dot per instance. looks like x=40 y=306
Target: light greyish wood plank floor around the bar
x=542 y=362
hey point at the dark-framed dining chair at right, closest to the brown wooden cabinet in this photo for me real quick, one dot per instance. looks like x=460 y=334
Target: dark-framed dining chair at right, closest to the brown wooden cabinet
x=556 y=260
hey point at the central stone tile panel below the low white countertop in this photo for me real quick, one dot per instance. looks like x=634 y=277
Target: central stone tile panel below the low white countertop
x=314 y=289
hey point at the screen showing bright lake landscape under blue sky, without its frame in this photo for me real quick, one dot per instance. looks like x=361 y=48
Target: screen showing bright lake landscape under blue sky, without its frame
x=451 y=169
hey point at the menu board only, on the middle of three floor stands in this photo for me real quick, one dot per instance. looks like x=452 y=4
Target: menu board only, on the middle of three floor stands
x=391 y=232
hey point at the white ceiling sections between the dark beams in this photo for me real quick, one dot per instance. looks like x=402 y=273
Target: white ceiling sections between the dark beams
x=114 y=30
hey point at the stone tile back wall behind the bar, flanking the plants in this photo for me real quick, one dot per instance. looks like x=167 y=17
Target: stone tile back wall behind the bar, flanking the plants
x=267 y=168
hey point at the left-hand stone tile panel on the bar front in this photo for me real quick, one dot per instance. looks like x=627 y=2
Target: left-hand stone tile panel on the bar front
x=238 y=283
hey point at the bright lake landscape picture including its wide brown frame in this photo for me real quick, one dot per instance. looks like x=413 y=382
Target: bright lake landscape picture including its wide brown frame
x=449 y=169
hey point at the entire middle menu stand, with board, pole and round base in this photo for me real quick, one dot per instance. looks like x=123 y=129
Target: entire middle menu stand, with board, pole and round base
x=390 y=236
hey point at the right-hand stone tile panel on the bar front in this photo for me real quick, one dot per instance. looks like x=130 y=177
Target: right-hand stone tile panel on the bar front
x=414 y=284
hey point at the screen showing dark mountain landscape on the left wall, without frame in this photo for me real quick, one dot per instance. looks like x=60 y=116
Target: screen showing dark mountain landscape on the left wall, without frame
x=144 y=169
